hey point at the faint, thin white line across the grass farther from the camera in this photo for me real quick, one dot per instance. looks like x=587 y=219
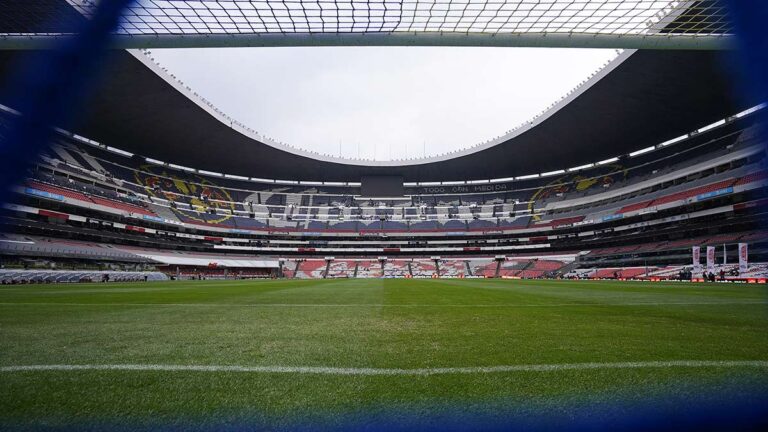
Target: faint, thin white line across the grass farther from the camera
x=413 y=305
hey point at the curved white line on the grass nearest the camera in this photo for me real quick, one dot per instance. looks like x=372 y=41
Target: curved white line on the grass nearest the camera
x=320 y=370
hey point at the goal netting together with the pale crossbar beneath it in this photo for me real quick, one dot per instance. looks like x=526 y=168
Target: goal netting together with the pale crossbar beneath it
x=691 y=24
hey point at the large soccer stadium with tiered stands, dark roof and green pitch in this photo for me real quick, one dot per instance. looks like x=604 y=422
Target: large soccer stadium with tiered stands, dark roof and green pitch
x=601 y=267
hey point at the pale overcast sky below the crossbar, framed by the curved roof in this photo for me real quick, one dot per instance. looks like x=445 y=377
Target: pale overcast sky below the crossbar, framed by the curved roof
x=382 y=103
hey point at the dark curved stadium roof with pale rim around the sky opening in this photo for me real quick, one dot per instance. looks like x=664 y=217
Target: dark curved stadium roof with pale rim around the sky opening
x=640 y=99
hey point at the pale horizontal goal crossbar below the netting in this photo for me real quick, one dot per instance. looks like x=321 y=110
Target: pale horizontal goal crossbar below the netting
x=520 y=40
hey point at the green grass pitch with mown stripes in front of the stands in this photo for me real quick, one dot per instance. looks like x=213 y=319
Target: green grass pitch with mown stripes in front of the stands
x=365 y=346
